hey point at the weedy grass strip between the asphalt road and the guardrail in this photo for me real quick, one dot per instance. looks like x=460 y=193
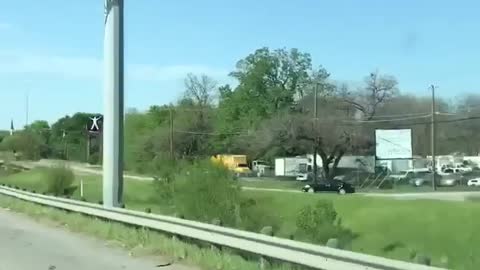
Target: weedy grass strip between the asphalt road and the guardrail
x=138 y=241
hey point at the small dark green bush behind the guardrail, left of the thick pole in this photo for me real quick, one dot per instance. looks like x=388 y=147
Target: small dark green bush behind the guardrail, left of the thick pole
x=59 y=180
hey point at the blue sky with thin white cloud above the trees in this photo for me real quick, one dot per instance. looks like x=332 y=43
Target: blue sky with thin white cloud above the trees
x=53 y=48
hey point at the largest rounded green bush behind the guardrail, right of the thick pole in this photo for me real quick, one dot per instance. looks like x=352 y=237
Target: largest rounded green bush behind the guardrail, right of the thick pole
x=204 y=191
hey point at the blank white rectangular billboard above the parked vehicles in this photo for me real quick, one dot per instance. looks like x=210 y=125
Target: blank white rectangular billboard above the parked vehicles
x=393 y=143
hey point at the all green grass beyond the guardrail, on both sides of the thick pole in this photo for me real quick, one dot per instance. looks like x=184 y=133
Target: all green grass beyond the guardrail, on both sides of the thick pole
x=434 y=228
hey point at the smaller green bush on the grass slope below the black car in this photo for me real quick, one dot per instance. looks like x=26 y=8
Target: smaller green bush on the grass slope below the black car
x=318 y=223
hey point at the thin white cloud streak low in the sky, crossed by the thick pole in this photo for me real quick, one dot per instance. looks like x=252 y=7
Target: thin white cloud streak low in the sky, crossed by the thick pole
x=13 y=62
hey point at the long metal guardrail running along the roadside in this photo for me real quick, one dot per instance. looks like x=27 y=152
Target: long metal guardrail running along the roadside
x=316 y=257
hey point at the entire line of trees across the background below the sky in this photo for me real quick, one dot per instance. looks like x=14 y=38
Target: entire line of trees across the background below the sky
x=268 y=113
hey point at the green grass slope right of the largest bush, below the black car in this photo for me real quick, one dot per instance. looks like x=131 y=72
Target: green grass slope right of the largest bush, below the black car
x=435 y=228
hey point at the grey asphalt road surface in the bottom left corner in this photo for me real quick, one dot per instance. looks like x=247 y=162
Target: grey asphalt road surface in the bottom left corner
x=27 y=245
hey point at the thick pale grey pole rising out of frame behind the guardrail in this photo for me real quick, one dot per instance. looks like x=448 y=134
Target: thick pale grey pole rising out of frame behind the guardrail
x=113 y=105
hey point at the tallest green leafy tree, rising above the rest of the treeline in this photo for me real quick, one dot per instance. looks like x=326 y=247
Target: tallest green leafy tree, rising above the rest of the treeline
x=269 y=82
